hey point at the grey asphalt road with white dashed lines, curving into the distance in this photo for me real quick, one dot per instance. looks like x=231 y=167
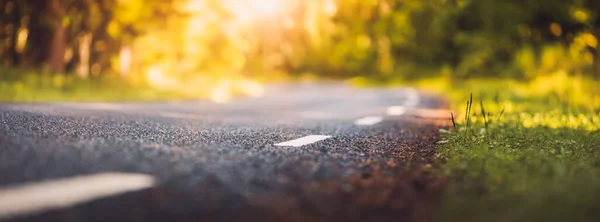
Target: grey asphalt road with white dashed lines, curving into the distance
x=363 y=155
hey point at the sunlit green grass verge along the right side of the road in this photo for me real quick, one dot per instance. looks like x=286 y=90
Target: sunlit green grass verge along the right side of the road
x=522 y=151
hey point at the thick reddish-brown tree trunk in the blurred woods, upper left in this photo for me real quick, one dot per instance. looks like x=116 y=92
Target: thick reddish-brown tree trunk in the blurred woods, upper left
x=56 y=60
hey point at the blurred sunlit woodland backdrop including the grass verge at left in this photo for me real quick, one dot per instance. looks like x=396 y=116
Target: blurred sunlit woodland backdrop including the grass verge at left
x=162 y=49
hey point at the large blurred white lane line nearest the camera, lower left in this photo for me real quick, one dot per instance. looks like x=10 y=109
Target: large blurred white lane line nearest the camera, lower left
x=62 y=193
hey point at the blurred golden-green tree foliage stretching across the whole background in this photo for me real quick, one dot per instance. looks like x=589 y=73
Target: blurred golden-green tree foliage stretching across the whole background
x=338 y=38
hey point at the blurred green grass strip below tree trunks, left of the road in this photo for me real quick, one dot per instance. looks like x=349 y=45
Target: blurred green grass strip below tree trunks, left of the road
x=17 y=85
